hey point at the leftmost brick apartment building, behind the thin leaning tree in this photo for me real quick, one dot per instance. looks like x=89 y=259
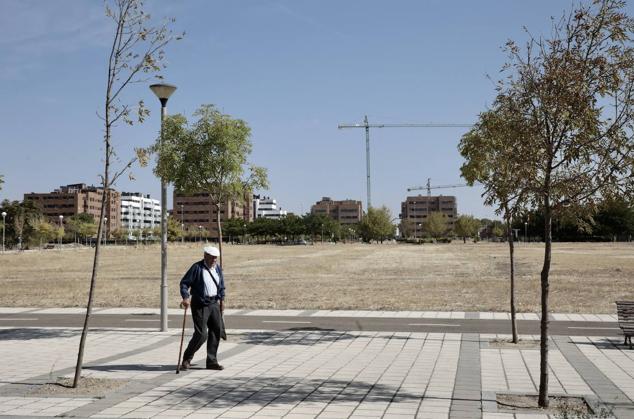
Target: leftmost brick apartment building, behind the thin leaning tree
x=76 y=199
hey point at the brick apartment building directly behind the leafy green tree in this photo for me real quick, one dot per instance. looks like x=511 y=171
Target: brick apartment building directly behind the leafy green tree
x=195 y=211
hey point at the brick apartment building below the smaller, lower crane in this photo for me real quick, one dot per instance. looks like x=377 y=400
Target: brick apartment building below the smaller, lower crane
x=415 y=210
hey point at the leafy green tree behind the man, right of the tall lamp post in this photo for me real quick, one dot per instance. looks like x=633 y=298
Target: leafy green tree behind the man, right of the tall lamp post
x=211 y=156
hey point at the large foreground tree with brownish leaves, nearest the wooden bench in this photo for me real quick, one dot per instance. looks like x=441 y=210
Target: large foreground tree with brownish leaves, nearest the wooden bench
x=571 y=97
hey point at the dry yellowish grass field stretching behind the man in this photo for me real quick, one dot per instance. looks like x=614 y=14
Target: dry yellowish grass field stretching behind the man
x=585 y=278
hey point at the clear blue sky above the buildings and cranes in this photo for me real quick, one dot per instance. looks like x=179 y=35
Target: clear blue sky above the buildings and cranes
x=293 y=69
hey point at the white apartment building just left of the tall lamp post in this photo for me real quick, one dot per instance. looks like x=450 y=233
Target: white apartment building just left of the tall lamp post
x=139 y=211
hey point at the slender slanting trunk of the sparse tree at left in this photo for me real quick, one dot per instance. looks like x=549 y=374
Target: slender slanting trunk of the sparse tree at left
x=95 y=264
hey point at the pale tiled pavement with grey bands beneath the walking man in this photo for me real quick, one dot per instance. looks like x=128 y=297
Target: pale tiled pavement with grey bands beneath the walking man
x=307 y=374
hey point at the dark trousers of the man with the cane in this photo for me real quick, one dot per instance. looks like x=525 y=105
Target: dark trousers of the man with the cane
x=207 y=327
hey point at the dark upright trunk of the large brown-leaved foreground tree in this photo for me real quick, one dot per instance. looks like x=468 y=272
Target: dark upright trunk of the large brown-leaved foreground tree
x=543 y=350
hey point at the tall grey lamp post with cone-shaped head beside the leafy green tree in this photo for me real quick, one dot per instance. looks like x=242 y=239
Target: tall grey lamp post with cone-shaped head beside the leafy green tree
x=163 y=92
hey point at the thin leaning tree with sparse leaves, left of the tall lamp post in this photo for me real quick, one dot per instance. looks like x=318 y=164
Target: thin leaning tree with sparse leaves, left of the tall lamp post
x=135 y=55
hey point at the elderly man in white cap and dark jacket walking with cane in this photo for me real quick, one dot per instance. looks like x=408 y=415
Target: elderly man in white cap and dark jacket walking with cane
x=205 y=282
